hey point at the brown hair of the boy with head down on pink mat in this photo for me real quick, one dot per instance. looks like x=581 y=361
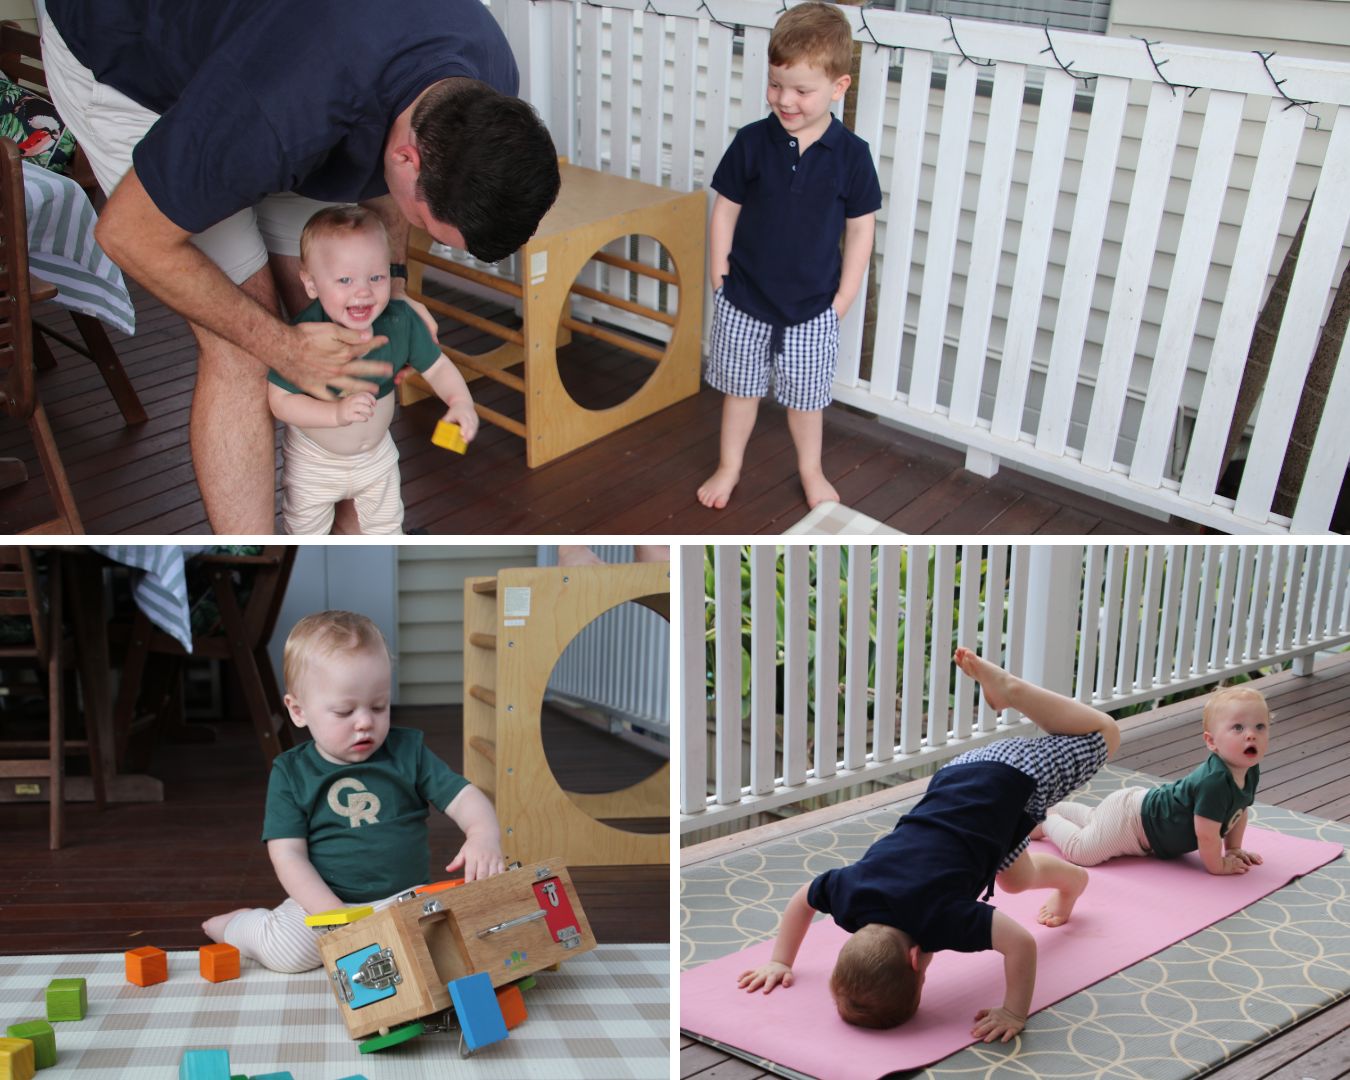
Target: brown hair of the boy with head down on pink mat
x=874 y=983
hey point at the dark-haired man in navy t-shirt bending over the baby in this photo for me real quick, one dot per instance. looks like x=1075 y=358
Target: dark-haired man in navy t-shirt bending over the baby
x=218 y=128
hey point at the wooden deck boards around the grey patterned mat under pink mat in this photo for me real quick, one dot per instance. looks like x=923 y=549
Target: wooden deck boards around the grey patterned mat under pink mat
x=1307 y=769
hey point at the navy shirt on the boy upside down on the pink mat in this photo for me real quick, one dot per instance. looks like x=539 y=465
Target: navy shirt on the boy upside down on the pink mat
x=925 y=875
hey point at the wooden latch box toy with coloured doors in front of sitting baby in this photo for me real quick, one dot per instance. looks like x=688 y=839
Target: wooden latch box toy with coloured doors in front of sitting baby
x=394 y=967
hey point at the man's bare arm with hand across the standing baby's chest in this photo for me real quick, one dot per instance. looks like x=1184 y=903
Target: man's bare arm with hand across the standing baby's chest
x=160 y=256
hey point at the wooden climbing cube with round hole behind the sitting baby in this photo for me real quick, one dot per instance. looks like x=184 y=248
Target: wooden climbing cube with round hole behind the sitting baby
x=516 y=627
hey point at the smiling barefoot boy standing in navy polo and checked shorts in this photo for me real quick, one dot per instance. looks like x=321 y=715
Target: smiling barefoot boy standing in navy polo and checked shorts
x=786 y=190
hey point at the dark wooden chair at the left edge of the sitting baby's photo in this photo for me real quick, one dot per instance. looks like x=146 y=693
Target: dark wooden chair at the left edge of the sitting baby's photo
x=22 y=596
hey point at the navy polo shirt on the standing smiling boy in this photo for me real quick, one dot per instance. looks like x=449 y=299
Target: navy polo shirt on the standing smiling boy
x=786 y=249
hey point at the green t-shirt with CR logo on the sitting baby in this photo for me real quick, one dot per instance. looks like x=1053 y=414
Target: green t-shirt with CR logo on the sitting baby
x=365 y=823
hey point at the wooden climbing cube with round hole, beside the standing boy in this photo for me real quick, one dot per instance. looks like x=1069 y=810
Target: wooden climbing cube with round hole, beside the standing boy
x=593 y=210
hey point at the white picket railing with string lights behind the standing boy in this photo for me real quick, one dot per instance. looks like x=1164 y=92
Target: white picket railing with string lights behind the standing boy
x=1073 y=291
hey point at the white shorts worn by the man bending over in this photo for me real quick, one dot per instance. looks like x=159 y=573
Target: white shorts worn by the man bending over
x=109 y=125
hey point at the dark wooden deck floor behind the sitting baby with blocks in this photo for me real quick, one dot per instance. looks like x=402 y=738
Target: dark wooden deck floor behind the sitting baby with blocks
x=142 y=874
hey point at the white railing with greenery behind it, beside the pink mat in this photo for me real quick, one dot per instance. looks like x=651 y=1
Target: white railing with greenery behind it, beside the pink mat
x=1109 y=624
